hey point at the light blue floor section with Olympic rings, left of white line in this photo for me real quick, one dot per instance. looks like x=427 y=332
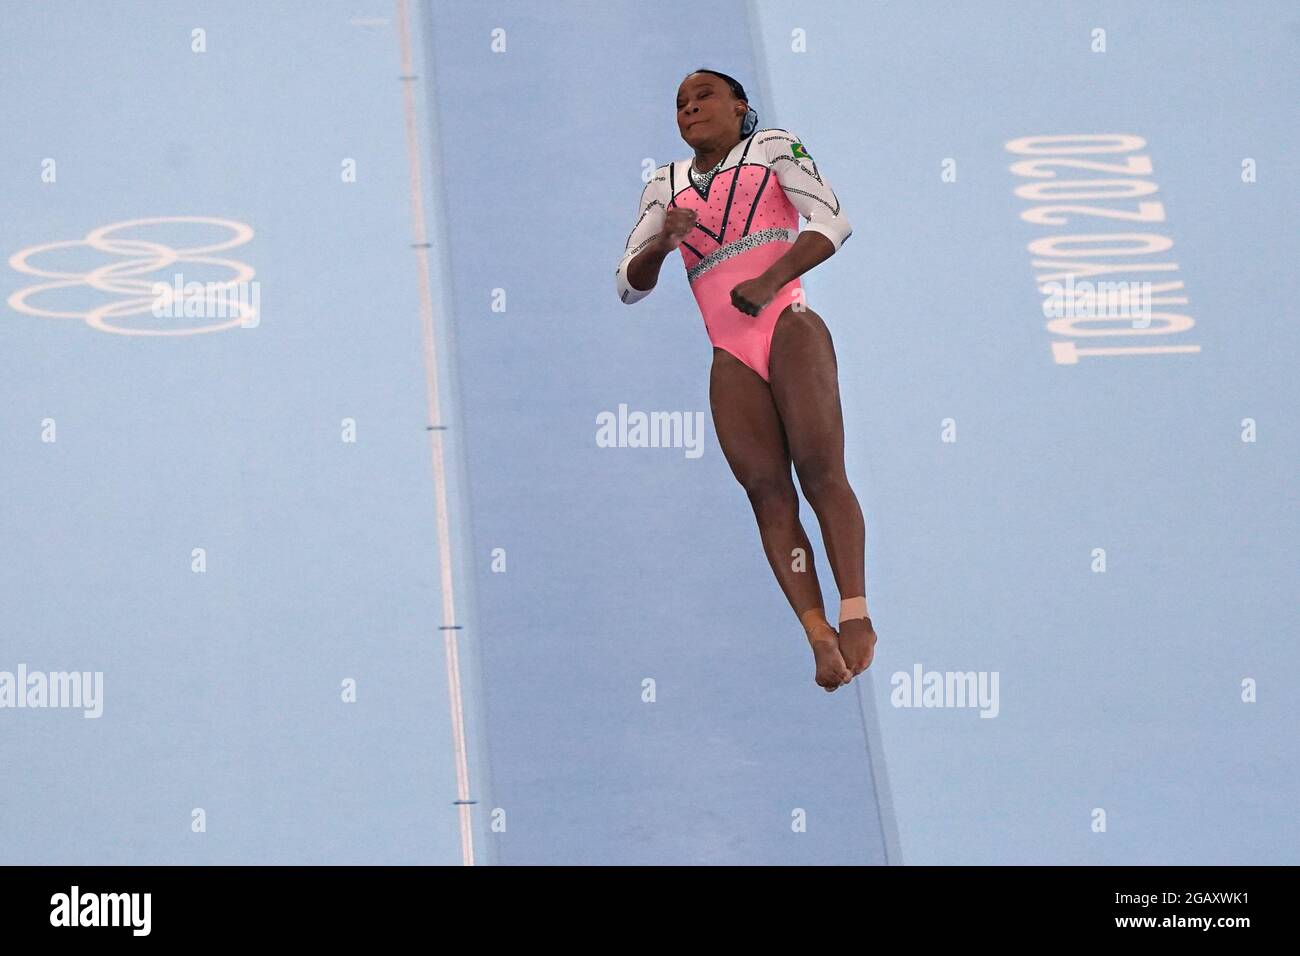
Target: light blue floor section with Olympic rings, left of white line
x=223 y=691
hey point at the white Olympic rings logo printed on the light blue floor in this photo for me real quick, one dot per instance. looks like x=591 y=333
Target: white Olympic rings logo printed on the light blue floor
x=124 y=278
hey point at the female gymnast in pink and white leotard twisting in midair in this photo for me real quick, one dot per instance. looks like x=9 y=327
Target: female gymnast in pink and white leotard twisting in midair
x=774 y=393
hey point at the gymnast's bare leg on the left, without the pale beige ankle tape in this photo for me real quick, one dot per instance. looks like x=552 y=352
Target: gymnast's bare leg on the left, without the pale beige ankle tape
x=751 y=435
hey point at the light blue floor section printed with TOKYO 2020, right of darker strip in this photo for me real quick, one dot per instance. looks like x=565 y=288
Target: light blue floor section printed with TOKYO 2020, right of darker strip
x=1120 y=691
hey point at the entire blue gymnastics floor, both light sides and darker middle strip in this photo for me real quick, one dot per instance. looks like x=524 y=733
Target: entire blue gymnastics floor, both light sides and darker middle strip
x=583 y=573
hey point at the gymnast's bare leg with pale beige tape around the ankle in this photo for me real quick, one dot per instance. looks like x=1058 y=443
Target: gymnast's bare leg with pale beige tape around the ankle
x=807 y=391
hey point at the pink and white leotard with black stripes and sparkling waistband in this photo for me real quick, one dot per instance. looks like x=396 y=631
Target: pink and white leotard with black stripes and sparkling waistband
x=747 y=219
